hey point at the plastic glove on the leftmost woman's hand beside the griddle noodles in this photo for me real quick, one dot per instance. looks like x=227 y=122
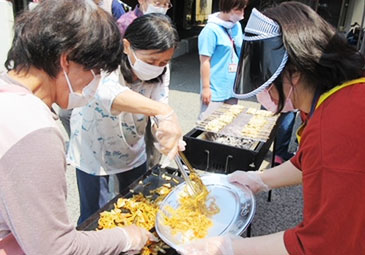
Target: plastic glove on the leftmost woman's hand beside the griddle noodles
x=136 y=238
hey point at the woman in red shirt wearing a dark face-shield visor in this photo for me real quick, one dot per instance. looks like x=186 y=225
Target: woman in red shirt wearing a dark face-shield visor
x=314 y=70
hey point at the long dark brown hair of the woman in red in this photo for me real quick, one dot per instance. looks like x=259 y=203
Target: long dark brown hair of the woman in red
x=315 y=49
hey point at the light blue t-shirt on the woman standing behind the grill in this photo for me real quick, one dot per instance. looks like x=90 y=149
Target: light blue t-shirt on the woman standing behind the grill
x=214 y=42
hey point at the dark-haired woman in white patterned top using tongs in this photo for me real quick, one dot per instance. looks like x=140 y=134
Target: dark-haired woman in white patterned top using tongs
x=107 y=135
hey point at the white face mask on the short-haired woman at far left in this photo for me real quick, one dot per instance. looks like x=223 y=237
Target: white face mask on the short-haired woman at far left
x=88 y=92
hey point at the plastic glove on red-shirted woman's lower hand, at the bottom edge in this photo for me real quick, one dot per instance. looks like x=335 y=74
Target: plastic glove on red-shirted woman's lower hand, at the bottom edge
x=220 y=245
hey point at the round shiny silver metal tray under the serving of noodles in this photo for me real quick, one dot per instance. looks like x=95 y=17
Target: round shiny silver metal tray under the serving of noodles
x=237 y=208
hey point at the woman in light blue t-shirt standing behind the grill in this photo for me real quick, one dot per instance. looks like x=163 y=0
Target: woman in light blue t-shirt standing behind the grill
x=219 y=50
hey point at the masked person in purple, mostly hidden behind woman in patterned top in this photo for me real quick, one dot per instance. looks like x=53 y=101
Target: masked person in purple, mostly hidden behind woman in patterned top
x=144 y=7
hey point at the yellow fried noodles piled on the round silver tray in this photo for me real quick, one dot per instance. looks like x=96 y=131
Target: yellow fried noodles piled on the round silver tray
x=191 y=218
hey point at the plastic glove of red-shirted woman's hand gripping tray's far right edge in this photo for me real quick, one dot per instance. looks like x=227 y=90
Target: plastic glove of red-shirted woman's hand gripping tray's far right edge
x=252 y=179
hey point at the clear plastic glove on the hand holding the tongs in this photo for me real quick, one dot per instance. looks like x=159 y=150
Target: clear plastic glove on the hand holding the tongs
x=168 y=134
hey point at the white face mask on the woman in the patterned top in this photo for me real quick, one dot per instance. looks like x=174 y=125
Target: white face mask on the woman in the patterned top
x=145 y=71
